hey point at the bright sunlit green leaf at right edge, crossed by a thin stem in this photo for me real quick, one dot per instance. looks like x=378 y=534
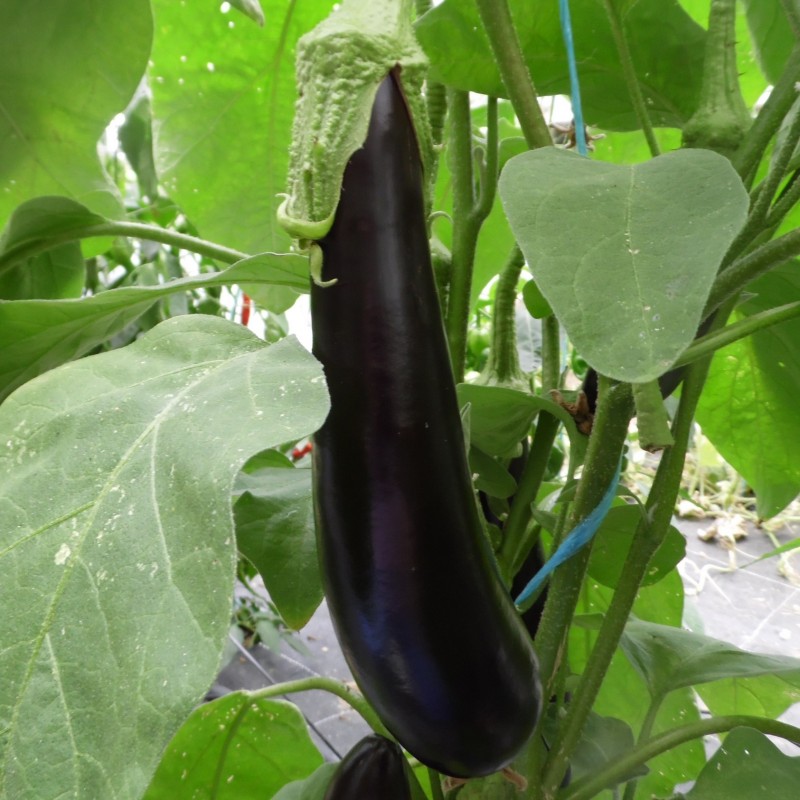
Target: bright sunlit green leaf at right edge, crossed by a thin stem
x=748 y=404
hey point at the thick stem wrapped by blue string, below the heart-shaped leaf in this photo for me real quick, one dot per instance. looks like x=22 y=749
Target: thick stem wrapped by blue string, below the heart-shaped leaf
x=602 y=458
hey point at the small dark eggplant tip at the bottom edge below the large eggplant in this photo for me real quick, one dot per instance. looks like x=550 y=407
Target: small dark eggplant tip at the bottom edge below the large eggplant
x=374 y=769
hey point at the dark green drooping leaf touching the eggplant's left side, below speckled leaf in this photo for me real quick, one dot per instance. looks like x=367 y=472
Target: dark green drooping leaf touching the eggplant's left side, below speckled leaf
x=275 y=530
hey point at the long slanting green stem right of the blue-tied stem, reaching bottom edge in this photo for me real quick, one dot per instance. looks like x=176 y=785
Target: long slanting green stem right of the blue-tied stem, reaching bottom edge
x=649 y=534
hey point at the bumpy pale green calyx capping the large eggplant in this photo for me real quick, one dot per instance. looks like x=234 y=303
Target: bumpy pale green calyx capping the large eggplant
x=340 y=65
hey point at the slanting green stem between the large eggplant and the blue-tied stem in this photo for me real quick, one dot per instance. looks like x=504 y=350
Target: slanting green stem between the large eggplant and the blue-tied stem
x=515 y=544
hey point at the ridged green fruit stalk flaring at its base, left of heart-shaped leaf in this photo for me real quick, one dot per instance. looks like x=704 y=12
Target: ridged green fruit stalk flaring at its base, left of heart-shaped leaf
x=502 y=367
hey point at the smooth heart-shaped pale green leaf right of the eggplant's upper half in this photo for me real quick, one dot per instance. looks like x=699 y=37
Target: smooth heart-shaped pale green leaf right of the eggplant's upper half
x=629 y=274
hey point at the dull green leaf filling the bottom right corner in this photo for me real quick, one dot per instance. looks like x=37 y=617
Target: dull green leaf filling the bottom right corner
x=747 y=765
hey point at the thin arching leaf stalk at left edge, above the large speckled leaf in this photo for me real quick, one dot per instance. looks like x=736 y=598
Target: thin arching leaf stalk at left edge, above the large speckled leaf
x=138 y=230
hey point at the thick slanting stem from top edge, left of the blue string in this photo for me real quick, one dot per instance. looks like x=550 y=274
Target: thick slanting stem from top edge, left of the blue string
x=499 y=27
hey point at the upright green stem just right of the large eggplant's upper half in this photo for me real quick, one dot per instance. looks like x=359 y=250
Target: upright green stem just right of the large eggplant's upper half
x=465 y=229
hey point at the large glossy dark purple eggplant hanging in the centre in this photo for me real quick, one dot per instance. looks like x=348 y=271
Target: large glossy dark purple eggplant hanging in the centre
x=427 y=628
